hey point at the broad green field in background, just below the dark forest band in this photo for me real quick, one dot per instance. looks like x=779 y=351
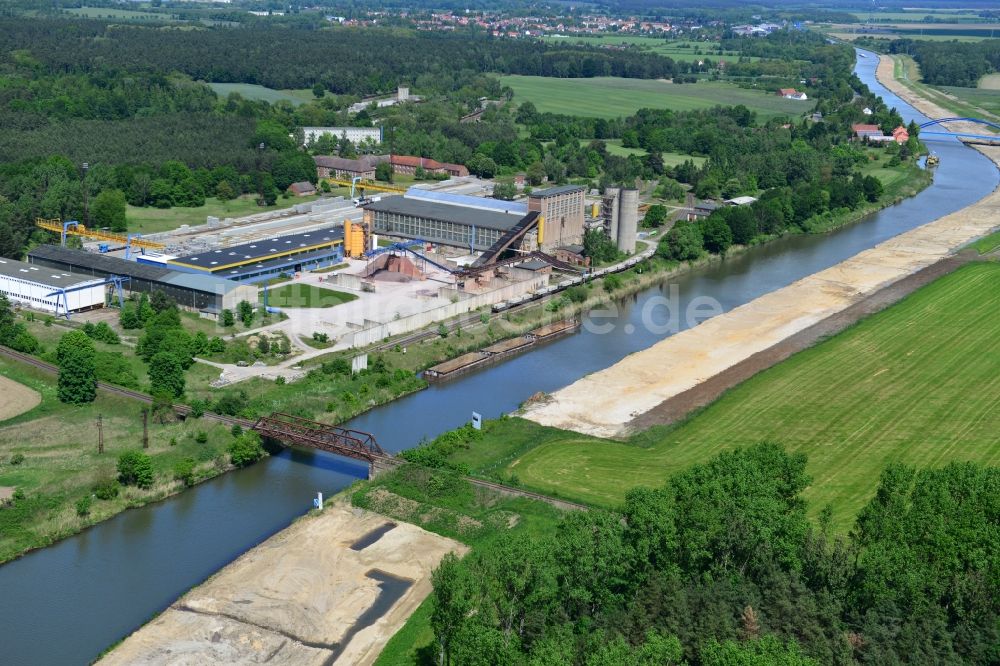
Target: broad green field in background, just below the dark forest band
x=611 y=97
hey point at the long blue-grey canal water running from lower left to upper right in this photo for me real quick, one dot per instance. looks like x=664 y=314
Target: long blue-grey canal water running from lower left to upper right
x=66 y=603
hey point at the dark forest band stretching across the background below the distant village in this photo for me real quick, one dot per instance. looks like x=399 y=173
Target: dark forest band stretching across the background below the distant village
x=357 y=61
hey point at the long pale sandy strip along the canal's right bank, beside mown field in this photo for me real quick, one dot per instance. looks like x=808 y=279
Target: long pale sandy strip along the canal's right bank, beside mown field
x=604 y=403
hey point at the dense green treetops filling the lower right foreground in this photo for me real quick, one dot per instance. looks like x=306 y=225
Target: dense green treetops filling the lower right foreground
x=722 y=566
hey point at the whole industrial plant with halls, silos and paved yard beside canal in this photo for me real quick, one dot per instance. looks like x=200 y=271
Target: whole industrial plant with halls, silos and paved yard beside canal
x=411 y=257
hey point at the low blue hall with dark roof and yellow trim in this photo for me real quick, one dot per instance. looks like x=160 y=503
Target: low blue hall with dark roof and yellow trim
x=251 y=262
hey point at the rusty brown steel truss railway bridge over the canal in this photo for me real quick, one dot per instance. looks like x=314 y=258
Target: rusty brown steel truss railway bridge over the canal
x=356 y=444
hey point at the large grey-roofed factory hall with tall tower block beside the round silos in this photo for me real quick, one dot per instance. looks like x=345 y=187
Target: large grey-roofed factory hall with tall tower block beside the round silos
x=477 y=224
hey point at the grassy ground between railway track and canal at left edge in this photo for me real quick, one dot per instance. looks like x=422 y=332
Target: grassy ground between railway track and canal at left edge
x=63 y=484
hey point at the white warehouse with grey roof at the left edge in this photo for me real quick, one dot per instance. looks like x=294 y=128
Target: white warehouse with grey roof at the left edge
x=49 y=289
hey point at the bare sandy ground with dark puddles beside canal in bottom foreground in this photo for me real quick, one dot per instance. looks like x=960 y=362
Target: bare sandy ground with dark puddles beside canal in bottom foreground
x=330 y=589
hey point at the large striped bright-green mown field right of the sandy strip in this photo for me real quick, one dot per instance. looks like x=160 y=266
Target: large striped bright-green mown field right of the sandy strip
x=918 y=383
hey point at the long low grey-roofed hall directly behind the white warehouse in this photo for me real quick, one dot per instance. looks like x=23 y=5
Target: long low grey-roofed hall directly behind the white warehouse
x=197 y=292
